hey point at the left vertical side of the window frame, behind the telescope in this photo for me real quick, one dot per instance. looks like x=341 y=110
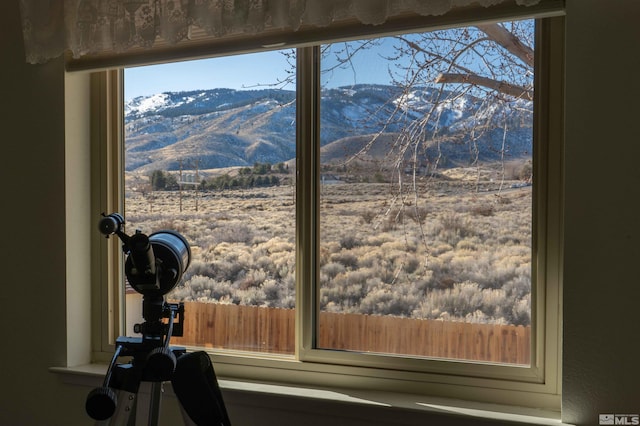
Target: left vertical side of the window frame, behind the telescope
x=107 y=162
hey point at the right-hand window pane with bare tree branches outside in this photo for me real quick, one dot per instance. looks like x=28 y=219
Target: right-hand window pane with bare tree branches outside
x=426 y=196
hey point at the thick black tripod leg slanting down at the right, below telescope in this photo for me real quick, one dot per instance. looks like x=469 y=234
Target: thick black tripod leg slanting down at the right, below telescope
x=195 y=384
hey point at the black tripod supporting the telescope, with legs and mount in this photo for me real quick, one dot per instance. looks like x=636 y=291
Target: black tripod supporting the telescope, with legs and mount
x=192 y=376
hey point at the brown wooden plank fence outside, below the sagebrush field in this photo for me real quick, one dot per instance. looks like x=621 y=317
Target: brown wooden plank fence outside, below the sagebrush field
x=273 y=330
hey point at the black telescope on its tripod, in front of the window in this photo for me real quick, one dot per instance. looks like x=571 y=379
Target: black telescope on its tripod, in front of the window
x=154 y=265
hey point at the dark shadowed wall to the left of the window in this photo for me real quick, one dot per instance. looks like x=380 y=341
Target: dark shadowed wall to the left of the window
x=32 y=239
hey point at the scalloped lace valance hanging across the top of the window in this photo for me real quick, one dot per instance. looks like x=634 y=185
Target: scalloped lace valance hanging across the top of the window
x=85 y=27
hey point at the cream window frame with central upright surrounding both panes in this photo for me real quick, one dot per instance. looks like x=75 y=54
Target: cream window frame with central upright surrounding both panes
x=535 y=386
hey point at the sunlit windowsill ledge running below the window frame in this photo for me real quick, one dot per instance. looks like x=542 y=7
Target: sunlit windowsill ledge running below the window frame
x=92 y=375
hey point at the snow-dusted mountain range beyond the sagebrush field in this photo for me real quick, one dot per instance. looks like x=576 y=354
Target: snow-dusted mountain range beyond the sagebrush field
x=225 y=127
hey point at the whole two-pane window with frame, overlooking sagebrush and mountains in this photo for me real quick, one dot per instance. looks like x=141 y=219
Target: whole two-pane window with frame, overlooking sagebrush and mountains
x=379 y=209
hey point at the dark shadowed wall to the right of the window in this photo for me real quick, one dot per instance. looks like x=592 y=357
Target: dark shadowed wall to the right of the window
x=601 y=368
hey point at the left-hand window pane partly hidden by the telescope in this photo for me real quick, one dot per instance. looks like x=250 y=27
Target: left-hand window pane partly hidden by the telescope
x=210 y=153
